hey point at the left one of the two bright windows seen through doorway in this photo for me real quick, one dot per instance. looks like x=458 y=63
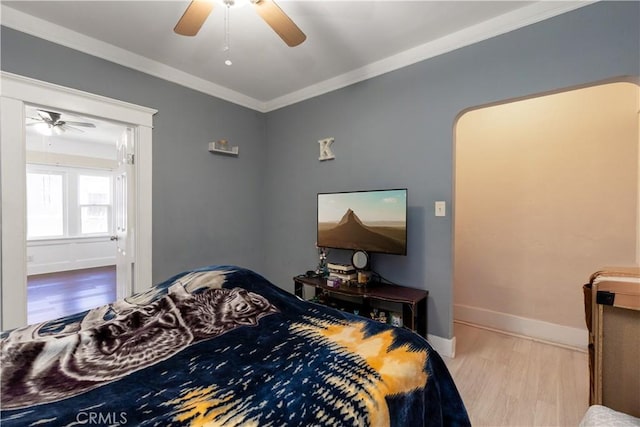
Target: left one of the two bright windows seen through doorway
x=45 y=205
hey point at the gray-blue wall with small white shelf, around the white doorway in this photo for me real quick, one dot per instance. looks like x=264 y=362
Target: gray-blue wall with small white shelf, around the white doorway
x=204 y=205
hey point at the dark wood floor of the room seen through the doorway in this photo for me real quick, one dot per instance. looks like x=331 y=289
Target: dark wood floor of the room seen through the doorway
x=54 y=295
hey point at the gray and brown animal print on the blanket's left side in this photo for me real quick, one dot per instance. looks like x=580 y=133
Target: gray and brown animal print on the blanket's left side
x=68 y=363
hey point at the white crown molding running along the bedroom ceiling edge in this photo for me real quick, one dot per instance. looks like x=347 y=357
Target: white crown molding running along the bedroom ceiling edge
x=505 y=23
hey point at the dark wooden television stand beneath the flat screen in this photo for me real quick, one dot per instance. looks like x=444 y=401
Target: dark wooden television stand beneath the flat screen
x=413 y=301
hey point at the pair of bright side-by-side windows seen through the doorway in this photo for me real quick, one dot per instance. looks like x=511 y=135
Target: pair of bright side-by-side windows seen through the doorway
x=68 y=202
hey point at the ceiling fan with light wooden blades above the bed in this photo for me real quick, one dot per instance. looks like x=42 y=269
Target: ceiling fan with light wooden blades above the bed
x=198 y=11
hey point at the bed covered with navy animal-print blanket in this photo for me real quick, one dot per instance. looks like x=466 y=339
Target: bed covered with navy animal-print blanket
x=222 y=345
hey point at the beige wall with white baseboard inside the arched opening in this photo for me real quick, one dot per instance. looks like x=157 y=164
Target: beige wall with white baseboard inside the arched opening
x=546 y=193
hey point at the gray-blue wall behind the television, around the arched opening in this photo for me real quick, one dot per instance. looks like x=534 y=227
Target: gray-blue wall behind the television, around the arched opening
x=396 y=130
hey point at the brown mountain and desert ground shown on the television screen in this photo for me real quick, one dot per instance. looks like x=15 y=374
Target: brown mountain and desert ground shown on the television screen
x=351 y=233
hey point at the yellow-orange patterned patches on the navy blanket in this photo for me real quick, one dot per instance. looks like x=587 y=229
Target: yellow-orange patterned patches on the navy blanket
x=376 y=370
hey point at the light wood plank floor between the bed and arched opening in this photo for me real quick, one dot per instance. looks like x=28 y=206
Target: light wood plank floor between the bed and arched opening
x=511 y=381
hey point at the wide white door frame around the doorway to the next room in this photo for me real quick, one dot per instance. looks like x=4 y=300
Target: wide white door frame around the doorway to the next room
x=16 y=91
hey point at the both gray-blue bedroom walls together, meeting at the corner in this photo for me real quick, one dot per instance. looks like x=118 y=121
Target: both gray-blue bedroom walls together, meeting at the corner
x=395 y=130
